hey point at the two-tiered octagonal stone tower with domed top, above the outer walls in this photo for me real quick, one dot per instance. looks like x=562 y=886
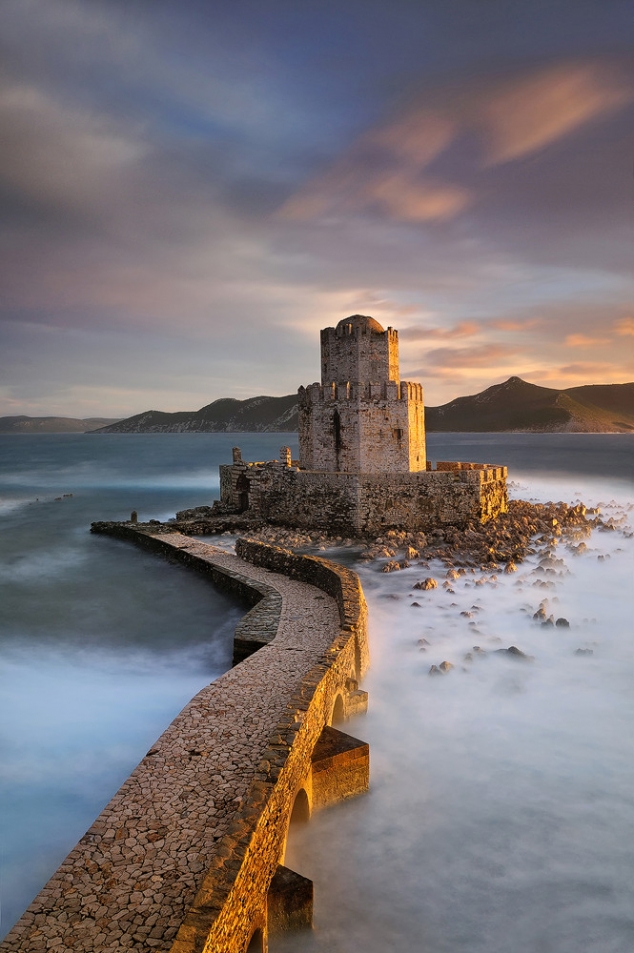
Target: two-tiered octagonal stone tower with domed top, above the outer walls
x=362 y=418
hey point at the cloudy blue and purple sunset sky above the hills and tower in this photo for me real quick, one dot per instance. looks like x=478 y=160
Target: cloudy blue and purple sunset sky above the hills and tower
x=192 y=189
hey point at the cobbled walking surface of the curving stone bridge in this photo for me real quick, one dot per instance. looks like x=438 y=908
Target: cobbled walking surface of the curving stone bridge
x=128 y=883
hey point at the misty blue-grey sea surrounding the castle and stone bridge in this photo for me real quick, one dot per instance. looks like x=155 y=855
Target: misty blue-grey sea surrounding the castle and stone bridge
x=500 y=817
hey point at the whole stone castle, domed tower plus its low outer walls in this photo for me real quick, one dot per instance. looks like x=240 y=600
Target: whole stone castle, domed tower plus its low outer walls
x=362 y=465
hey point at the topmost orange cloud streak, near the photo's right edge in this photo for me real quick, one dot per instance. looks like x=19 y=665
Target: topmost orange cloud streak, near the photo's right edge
x=546 y=107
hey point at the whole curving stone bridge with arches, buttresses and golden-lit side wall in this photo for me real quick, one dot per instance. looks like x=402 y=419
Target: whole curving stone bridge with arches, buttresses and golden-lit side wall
x=188 y=855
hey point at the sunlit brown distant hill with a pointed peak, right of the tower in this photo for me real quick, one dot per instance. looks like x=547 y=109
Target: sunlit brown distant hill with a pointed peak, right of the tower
x=516 y=405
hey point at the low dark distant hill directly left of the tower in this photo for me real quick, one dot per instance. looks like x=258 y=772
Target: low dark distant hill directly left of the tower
x=226 y=415
